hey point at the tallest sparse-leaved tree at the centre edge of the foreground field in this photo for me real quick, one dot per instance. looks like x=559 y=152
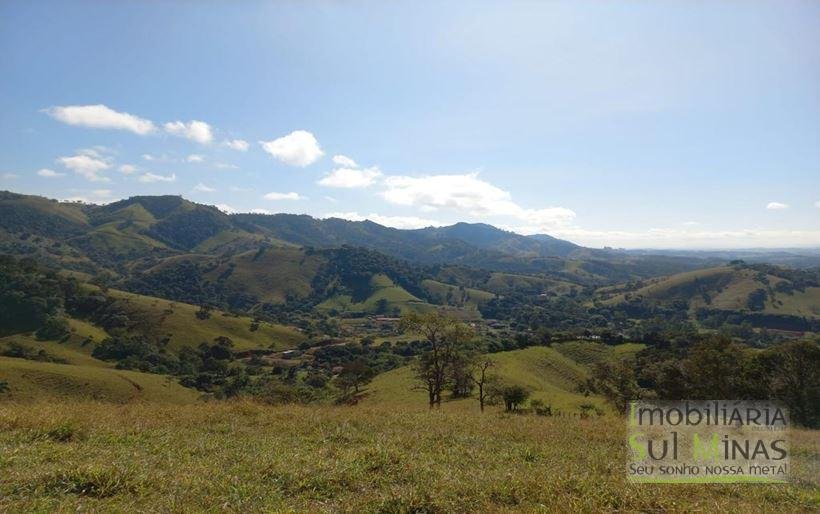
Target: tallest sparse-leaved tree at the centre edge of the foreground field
x=445 y=337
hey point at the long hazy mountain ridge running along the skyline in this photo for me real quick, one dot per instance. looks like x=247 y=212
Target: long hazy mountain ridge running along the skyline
x=115 y=236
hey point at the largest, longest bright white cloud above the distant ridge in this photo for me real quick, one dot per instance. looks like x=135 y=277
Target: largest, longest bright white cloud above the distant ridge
x=469 y=194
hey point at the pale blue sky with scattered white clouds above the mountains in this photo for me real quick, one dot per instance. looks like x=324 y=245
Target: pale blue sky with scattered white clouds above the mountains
x=687 y=124
